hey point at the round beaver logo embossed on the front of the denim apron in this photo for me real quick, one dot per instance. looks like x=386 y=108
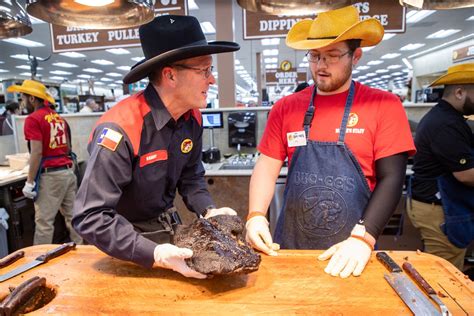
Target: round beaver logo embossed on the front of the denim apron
x=324 y=212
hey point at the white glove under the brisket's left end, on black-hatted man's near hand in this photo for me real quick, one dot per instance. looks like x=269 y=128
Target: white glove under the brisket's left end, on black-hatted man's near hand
x=169 y=256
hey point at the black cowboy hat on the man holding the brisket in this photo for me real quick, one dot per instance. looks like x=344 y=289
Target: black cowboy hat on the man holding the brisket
x=169 y=38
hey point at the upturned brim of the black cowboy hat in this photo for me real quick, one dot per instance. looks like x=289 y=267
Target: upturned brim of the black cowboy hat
x=143 y=68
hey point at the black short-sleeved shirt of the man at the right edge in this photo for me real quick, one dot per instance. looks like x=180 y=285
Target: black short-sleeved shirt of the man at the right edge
x=444 y=144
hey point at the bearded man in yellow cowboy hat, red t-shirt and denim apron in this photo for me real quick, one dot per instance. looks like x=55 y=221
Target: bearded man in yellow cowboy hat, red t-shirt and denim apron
x=347 y=147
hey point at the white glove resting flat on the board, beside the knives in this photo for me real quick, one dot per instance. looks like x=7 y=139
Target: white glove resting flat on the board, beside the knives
x=348 y=257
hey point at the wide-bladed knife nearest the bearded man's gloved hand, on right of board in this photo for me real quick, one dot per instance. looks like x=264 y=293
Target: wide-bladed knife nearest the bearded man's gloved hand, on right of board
x=409 y=293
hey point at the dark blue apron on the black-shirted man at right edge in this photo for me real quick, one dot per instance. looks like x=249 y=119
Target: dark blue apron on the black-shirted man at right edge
x=458 y=207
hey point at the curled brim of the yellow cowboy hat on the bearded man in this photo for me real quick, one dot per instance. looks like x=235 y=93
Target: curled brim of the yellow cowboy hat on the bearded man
x=369 y=31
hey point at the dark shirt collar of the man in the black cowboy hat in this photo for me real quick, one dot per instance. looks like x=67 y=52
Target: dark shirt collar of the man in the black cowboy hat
x=160 y=113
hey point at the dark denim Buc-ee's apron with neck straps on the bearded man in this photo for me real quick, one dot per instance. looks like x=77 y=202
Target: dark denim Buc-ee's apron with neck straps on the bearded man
x=326 y=191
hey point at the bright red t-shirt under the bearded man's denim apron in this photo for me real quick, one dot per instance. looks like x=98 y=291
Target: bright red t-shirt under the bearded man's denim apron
x=377 y=126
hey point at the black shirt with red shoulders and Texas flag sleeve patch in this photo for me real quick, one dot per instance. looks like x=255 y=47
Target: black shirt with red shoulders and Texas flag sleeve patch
x=139 y=156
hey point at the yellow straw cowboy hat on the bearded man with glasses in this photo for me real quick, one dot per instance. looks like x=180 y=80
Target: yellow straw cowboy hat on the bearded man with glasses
x=332 y=27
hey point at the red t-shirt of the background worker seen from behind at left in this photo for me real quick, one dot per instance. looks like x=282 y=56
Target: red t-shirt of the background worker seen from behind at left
x=47 y=126
